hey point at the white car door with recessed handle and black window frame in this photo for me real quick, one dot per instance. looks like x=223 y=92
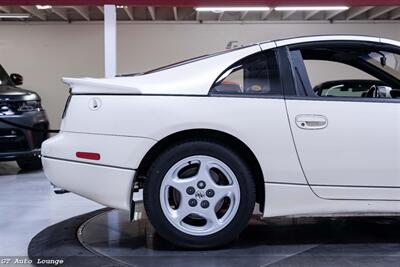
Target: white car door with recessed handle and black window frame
x=348 y=147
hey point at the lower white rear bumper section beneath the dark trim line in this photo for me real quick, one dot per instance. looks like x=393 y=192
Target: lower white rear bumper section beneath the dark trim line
x=109 y=186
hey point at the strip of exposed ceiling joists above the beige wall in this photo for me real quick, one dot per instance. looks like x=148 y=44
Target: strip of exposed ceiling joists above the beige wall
x=72 y=13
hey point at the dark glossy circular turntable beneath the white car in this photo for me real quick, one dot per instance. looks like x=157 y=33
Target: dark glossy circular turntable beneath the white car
x=107 y=238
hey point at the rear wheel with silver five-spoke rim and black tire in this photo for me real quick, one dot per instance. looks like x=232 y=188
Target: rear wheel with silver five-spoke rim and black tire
x=168 y=200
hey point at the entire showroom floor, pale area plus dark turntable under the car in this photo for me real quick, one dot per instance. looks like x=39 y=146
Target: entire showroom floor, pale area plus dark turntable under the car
x=28 y=206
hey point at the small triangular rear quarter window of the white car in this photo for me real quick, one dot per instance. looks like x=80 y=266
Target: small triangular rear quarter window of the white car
x=254 y=75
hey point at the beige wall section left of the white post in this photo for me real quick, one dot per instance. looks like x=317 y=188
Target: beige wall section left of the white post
x=45 y=53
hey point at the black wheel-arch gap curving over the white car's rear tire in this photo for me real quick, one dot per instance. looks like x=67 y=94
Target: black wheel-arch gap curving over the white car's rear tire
x=224 y=138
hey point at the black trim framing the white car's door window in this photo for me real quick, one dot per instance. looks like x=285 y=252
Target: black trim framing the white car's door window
x=295 y=93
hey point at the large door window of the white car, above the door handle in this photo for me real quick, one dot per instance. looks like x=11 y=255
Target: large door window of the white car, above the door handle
x=347 y=72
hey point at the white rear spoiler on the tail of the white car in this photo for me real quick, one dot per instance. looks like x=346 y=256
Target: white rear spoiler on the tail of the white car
x=99 y=86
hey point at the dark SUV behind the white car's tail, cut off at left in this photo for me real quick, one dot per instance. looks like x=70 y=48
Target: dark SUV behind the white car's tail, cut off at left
x=20 y=107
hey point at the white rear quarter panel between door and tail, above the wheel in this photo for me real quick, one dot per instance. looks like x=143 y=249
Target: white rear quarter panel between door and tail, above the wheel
x=260 y=123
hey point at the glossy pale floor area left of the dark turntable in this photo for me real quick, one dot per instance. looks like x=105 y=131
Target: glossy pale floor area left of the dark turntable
x=28 y=205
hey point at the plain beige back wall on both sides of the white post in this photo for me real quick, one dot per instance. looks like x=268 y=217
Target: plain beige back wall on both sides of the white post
x=43 y=53
